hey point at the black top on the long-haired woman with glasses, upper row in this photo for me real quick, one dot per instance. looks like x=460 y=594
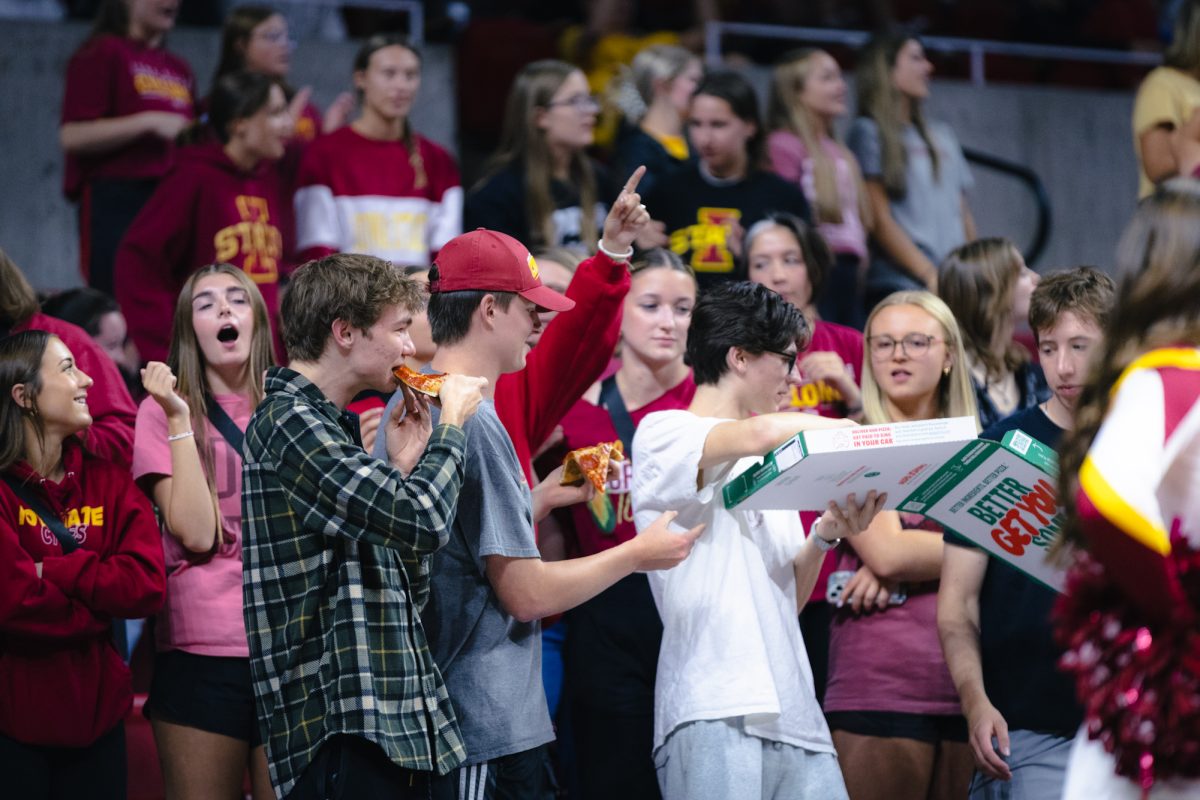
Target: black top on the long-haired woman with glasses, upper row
x=500 y=204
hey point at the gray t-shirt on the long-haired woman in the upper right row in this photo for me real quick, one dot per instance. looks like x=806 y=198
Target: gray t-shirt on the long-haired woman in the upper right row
x=932 y=210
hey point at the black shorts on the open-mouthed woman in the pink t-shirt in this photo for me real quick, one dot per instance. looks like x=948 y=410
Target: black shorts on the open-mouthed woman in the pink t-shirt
x=212 y=694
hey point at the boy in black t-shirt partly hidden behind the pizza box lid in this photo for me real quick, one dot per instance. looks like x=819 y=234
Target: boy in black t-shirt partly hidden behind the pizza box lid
x=994 y=621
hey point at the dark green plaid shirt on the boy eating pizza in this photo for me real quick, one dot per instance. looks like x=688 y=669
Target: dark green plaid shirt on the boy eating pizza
x=337 y=552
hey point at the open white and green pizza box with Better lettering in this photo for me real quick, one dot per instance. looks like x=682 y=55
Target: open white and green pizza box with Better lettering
x=999 y=496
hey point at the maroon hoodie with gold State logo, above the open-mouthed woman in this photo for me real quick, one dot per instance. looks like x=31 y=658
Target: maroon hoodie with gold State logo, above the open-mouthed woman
x=205 y=210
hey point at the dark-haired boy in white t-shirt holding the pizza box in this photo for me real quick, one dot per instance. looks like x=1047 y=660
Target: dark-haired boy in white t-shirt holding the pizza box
x=735 y=712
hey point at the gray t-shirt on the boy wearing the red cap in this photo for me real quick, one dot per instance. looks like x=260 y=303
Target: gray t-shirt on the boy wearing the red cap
x=490 y=661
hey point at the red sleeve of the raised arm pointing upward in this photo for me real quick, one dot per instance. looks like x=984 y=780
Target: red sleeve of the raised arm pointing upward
x=571 y=357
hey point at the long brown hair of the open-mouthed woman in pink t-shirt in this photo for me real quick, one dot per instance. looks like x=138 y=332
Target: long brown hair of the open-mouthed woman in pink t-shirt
x=187 y=360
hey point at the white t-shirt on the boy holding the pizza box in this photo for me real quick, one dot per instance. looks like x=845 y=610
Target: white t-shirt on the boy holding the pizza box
x=731 y=643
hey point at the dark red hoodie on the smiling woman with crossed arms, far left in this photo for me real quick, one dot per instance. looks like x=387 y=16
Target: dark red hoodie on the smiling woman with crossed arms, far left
x=62 y=682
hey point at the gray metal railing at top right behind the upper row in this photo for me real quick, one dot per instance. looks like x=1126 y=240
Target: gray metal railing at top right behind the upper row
x=975 y=49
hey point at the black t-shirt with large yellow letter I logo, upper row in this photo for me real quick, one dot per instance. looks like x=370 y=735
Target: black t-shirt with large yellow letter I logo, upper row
x=698 y=212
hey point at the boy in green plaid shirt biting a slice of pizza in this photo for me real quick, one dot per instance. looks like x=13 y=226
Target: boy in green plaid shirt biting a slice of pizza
x=338 y=544
